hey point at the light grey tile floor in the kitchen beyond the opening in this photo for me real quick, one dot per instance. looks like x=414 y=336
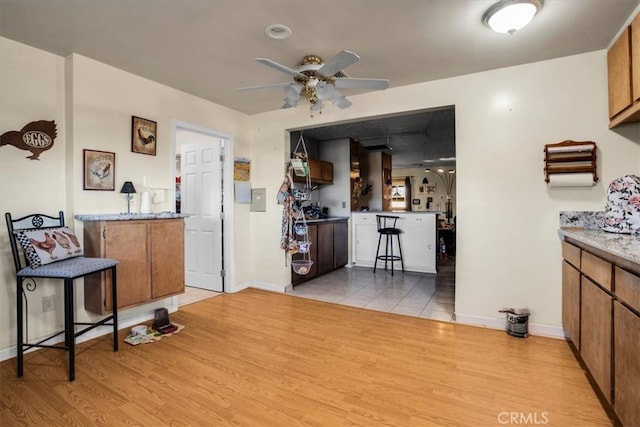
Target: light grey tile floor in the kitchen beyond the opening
x=414 y=294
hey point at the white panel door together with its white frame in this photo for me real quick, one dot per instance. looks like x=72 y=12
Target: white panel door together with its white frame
x=203 y=168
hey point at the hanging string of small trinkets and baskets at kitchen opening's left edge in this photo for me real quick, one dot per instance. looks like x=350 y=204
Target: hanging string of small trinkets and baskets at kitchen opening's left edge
x=295 y=233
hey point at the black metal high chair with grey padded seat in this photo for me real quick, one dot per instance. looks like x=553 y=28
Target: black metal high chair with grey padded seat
x=68 y=270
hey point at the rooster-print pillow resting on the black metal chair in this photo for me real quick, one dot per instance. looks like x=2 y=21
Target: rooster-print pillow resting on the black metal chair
x=47 y=245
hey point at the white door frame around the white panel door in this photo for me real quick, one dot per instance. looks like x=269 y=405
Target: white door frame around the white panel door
x=228 y=209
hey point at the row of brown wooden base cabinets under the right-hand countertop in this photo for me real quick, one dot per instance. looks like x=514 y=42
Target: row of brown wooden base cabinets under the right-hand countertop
x=602 y=291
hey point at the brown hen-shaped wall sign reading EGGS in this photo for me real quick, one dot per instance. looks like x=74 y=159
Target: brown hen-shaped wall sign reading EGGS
x=36 y=137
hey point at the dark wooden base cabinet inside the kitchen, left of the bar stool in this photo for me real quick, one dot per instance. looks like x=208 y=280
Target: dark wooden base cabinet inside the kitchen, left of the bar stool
x=329 y=249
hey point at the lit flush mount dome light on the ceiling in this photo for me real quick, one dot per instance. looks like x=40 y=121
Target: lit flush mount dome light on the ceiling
x=508 y=16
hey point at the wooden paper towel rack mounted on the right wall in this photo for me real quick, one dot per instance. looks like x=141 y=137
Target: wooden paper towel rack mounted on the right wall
x=570 y=157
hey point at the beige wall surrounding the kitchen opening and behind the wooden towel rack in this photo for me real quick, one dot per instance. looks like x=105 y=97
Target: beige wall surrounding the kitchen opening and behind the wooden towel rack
x=508 y=252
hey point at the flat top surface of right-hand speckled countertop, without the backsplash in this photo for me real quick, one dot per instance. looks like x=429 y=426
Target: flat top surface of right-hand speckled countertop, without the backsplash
x=625 y=246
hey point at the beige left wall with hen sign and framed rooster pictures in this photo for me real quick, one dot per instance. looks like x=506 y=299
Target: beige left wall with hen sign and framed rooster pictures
x=92 y=104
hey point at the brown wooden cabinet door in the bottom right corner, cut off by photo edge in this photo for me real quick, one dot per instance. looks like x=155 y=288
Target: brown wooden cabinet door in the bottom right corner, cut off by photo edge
x=626 y=347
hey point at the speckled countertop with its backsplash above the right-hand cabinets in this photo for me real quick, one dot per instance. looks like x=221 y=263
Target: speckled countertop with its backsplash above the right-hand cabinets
x=584 y=227
